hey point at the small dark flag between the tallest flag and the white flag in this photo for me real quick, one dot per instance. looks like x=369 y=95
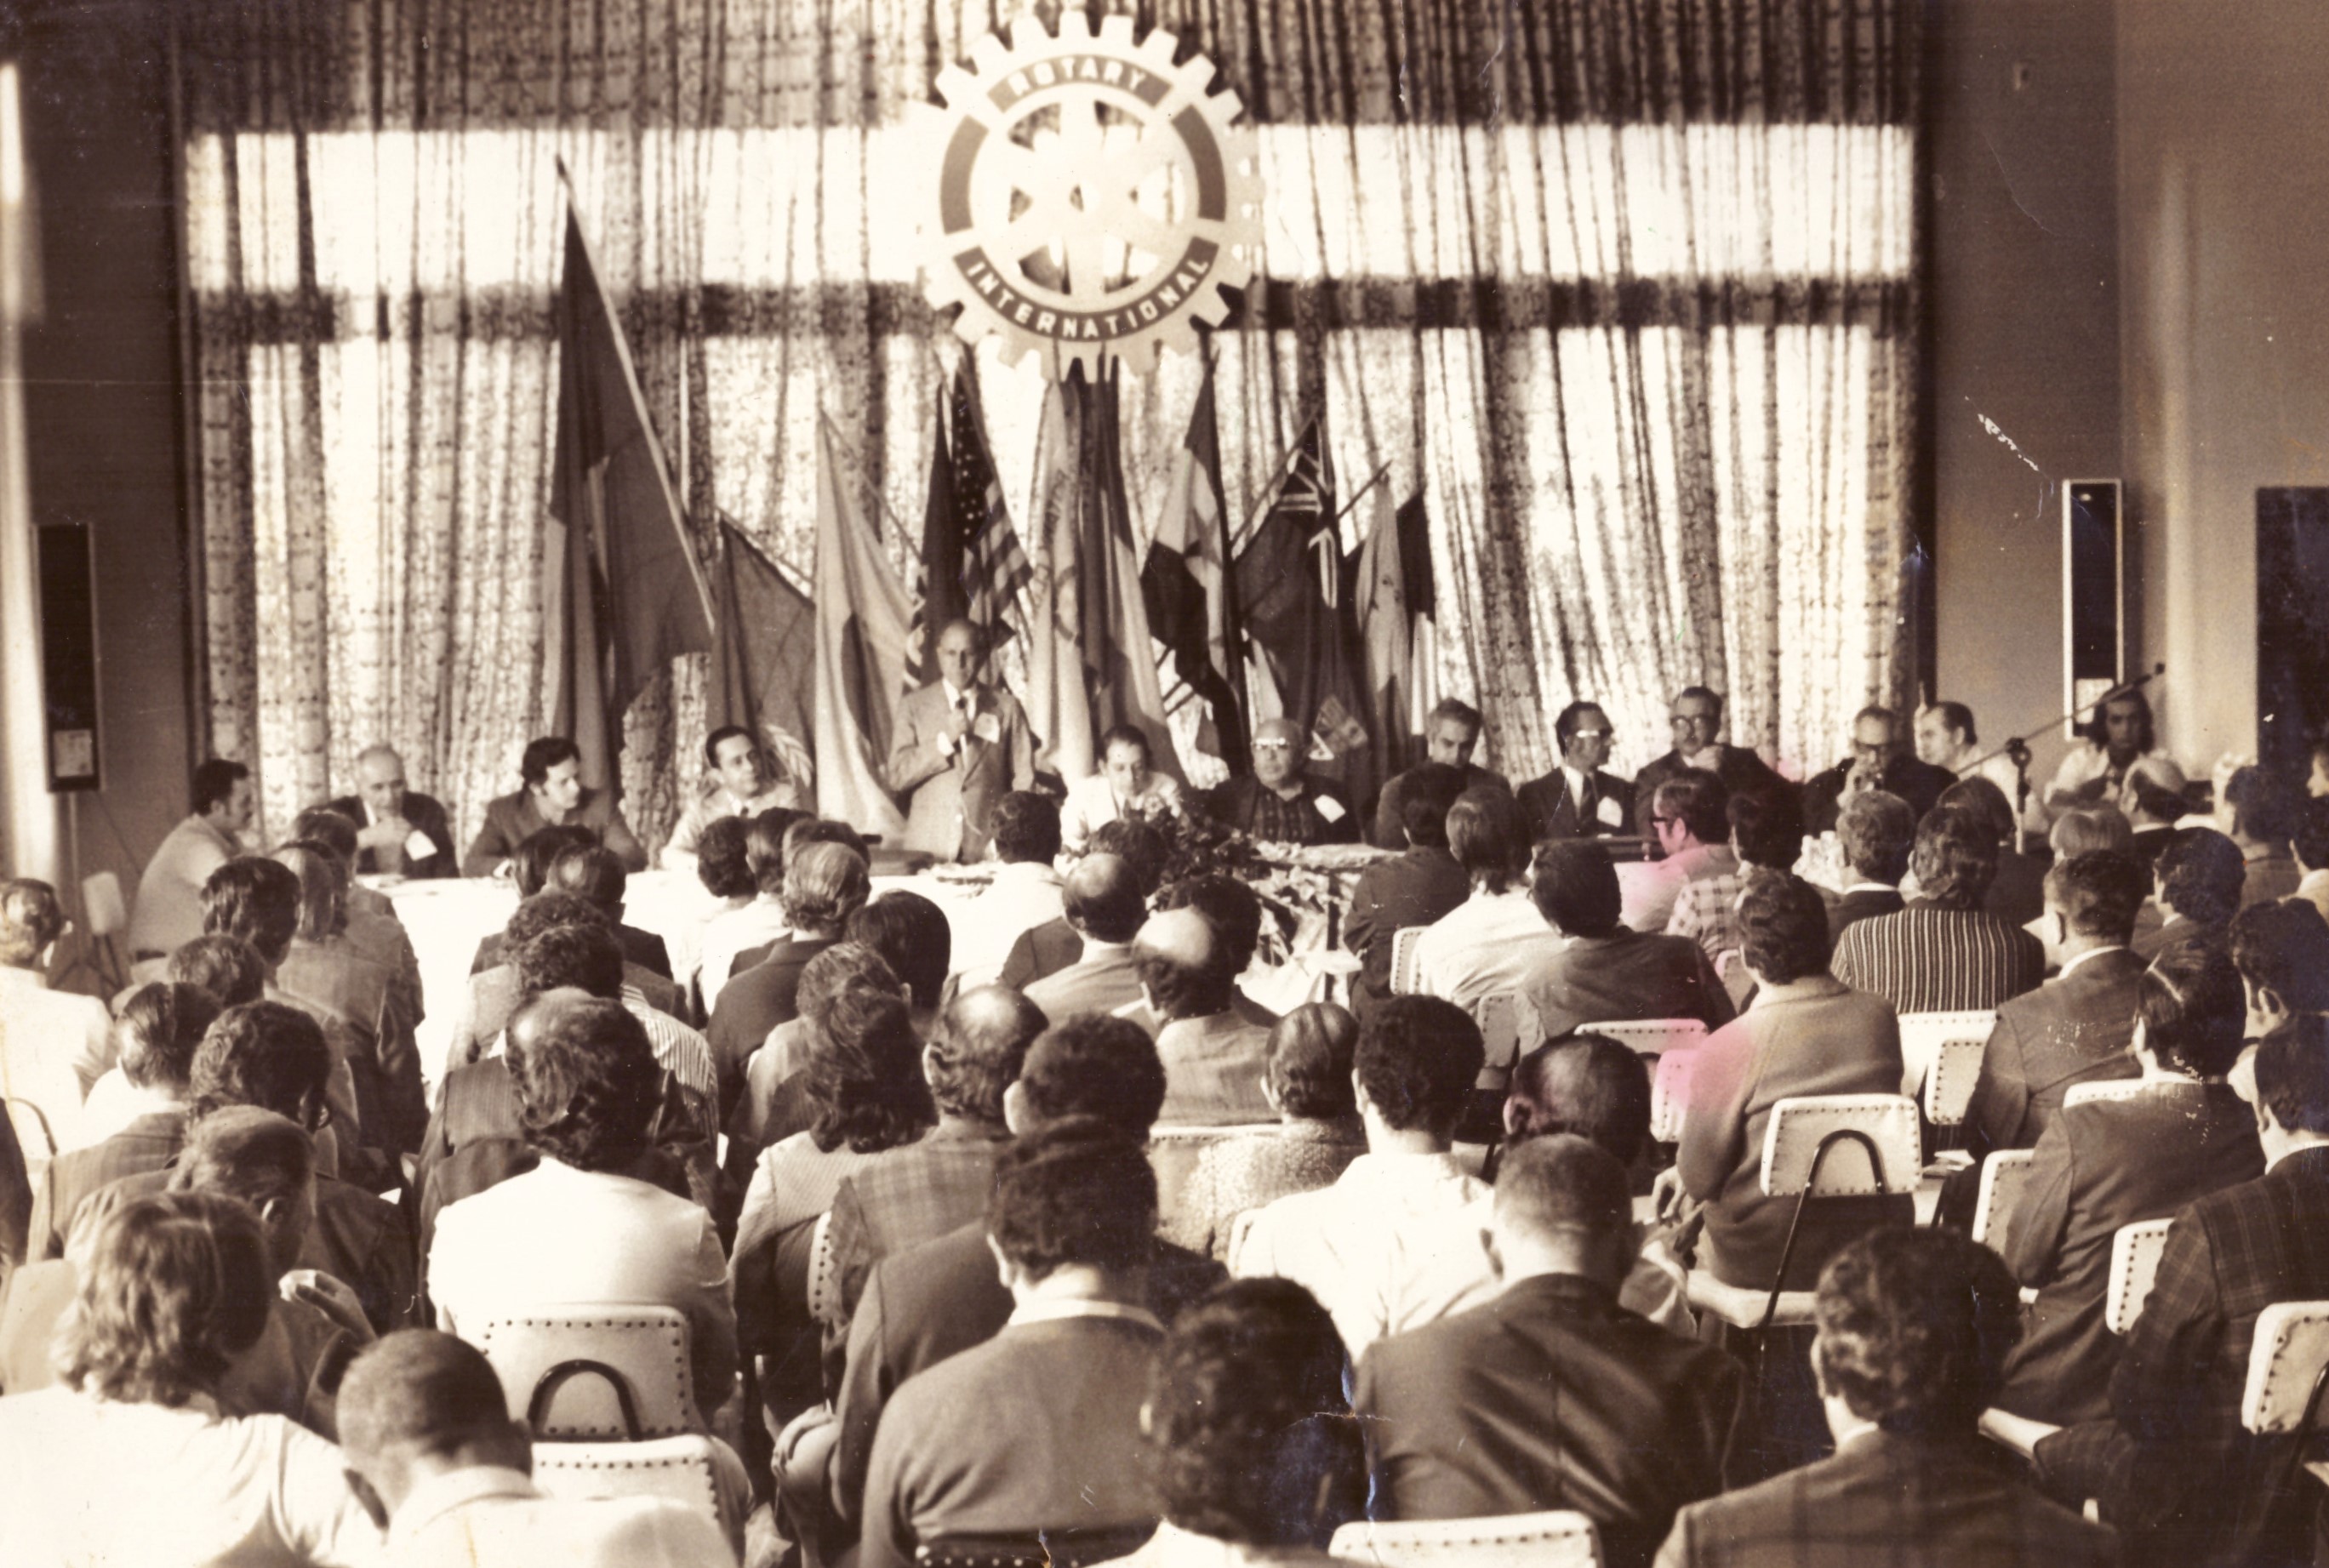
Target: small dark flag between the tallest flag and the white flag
x=765 y=661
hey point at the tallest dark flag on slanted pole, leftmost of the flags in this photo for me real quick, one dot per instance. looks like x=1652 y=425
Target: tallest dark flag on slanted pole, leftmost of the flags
x=630 y=591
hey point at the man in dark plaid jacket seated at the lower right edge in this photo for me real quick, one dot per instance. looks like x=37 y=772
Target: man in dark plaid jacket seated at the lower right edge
x=2174 y=1469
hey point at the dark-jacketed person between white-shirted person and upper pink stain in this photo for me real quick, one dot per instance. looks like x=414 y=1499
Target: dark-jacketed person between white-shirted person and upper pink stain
x=1608 y=973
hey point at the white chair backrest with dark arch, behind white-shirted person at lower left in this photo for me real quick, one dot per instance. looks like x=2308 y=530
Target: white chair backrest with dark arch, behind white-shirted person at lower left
x=644 y=1345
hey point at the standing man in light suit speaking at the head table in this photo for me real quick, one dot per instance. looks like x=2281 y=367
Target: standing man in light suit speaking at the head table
x=956 y=749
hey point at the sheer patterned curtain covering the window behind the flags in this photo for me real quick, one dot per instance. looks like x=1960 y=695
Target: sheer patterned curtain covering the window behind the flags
x=1624 y=288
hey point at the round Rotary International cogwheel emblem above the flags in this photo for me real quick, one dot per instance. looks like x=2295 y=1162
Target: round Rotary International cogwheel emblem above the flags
x=1091 y=199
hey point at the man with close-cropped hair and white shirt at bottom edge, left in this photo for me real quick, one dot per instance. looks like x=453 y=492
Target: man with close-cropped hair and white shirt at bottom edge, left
x=439 y=1464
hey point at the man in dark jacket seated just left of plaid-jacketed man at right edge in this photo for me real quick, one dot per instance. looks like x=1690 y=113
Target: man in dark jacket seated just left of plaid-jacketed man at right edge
x=2118 y=1161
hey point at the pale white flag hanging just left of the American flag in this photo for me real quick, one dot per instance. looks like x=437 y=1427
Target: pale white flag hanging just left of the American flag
x=863 y=621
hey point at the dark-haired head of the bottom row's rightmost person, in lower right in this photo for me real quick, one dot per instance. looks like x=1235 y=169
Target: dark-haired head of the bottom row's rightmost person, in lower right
x=1913 y=1329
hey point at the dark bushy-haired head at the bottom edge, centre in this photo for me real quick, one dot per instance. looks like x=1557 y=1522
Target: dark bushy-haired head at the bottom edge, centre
x=1250 y=1425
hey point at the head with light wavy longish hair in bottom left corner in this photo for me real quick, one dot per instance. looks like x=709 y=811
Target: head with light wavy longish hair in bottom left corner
x=171 y=1292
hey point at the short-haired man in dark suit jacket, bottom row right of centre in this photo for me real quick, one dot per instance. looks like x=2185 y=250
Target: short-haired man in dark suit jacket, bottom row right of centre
x=1552 y=1394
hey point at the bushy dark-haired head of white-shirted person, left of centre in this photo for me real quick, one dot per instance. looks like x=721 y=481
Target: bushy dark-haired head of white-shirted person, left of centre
x=588 y=1085
